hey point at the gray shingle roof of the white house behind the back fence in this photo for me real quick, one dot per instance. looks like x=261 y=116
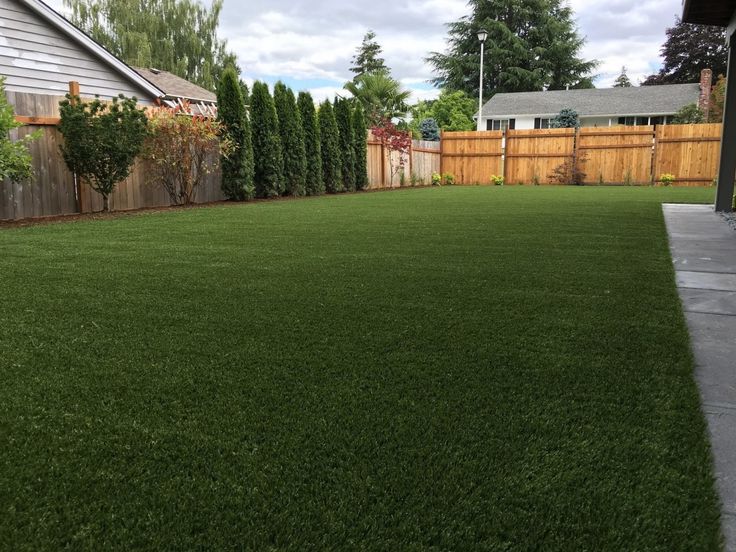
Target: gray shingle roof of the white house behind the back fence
x=601 y=102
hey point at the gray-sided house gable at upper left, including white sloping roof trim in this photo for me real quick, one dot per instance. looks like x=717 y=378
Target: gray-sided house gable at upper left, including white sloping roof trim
x=40 y=52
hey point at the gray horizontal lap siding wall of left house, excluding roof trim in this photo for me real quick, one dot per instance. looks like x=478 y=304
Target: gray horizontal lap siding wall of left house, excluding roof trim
x=36 y=57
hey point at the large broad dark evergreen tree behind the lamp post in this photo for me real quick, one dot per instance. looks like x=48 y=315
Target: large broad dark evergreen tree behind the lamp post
x=532 y=45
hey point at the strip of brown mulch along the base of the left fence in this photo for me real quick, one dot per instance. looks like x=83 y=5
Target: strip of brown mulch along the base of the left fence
x=83 y=217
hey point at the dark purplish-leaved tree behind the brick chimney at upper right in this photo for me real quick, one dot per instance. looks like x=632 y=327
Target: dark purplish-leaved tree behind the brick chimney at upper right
x=688 y=50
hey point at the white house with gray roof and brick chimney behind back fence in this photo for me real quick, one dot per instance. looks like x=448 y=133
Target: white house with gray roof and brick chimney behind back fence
x=642 y=105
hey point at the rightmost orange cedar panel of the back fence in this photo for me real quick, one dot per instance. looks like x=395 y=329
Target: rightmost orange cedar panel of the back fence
x=690 y=152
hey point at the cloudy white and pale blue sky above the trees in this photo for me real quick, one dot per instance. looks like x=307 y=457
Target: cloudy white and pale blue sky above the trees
x=309 y=45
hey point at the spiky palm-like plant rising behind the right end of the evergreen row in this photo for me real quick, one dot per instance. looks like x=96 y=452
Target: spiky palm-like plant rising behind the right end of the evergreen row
x=381 y=95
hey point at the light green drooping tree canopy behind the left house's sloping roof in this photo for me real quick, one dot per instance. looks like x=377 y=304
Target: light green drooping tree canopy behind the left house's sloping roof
x=179 y=36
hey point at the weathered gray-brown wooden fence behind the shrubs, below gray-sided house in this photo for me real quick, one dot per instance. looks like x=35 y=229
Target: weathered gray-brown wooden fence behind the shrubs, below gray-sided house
x=54 y=191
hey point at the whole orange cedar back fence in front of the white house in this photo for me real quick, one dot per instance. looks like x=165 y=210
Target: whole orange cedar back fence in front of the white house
x=607 y=155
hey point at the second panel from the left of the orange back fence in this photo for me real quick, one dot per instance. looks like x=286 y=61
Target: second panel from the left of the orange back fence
x=533 y=155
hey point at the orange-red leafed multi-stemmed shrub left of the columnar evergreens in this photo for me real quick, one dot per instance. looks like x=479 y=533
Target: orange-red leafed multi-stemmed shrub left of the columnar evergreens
x=183 y=150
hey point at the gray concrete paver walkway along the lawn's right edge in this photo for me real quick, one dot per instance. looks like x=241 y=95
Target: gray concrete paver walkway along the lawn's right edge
x=704 y=252
